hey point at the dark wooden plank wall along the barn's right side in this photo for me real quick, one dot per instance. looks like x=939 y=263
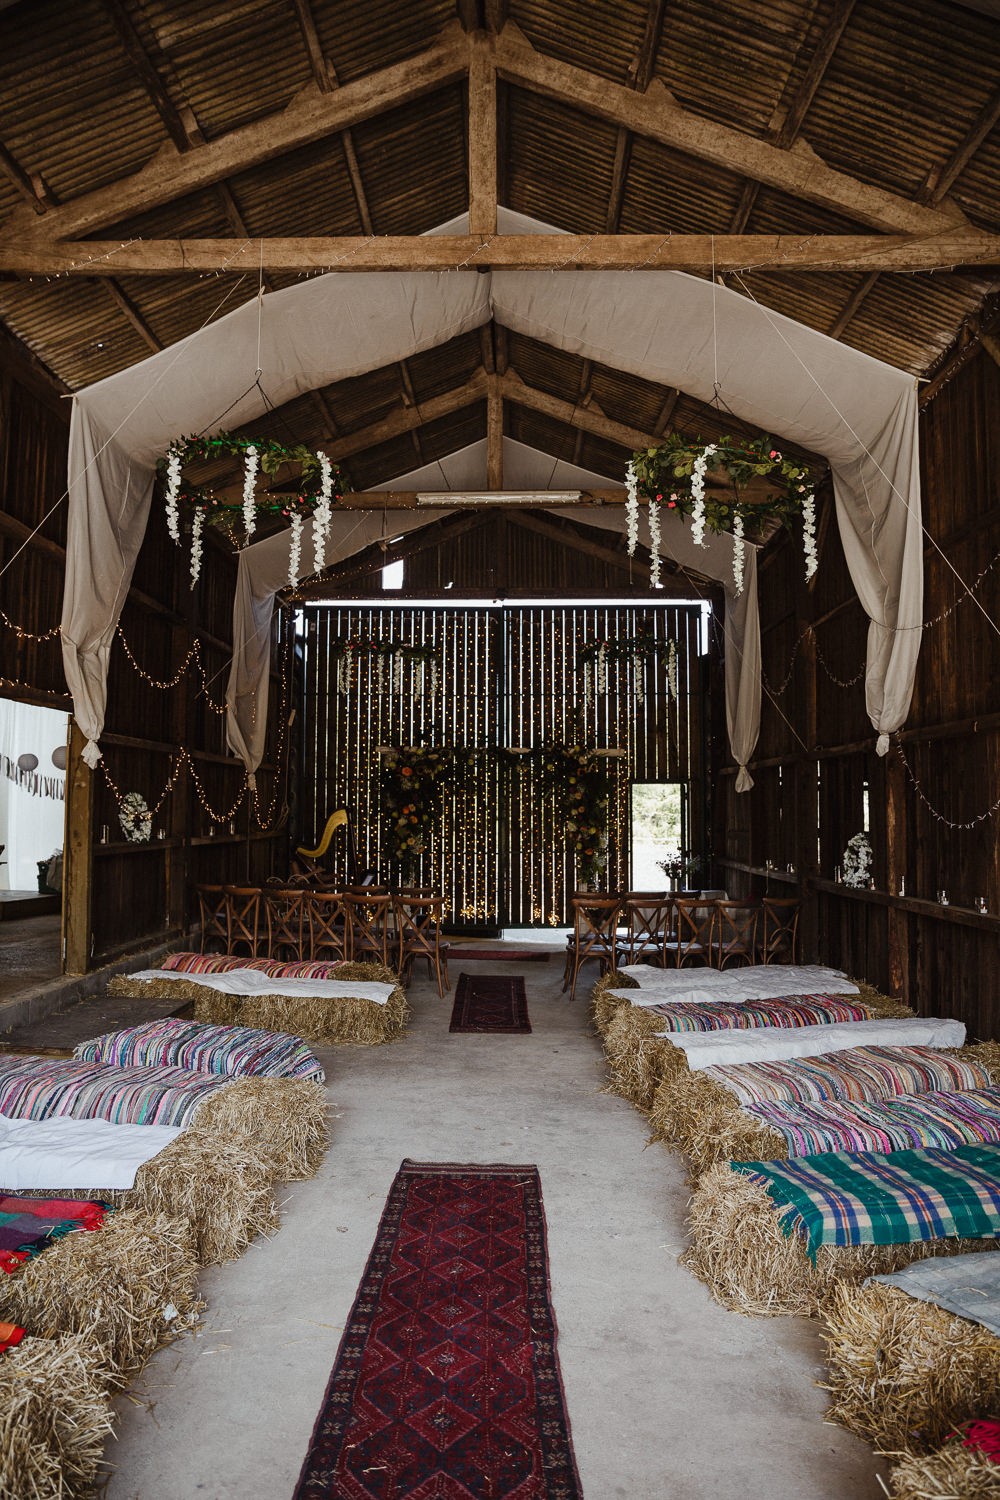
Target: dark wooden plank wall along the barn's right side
x=816 y=757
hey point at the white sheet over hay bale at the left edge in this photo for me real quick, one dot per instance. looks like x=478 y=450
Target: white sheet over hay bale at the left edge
x=68 y=1154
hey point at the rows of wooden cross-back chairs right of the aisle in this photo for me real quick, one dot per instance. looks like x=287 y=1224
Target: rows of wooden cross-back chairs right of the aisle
x=672 y=932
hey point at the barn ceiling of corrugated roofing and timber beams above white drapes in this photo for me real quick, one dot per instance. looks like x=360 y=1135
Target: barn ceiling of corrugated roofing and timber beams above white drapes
x=161 y=161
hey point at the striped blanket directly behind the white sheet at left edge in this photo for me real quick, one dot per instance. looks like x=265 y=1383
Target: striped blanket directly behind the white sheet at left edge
x=40 y=1088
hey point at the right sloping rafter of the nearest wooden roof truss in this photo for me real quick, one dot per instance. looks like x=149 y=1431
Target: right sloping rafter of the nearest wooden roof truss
x=657 y=116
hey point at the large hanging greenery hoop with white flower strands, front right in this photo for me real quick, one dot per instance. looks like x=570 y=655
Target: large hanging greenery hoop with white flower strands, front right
x=674 y=478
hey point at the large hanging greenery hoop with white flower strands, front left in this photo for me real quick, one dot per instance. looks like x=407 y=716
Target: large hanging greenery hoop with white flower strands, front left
x=314 y=490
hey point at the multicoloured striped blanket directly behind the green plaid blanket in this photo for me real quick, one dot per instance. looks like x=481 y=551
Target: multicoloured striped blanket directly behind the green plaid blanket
x=909 y=1123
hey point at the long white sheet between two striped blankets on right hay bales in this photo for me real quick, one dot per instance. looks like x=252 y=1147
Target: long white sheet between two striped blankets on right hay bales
x=776 y=1043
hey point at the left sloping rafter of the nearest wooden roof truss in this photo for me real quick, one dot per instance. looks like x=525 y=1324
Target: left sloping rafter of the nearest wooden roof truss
x=311 y=116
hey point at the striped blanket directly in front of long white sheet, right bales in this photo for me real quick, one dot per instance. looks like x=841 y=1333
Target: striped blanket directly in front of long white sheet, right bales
x=863 y=1073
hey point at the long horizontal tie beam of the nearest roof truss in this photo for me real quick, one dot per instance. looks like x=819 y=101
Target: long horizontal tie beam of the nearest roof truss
x=29 y=256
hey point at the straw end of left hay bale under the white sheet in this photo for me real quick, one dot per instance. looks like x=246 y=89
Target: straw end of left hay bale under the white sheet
x=220 y=1184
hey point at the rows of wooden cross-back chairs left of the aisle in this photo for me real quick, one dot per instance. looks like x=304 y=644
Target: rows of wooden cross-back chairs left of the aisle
x=362 y=925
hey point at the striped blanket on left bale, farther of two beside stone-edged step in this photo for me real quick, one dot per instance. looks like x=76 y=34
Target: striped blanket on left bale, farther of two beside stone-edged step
x=200 y=1048
